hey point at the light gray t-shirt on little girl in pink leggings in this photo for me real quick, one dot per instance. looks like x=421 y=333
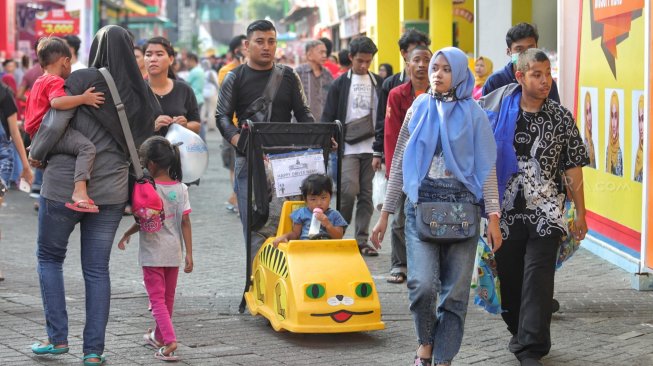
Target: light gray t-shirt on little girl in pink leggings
x=164 y=247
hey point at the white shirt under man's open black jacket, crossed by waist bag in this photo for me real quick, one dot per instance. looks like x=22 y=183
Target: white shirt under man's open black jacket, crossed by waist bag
x=359 y=104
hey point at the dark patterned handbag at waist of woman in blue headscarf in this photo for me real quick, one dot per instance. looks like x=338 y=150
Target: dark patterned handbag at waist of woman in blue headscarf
x=447 y=222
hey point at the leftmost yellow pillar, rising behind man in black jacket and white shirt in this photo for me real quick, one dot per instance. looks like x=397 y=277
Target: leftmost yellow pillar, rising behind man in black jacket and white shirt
x=383 y=28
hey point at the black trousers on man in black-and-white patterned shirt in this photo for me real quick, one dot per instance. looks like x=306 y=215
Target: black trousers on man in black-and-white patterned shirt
x=526 y=266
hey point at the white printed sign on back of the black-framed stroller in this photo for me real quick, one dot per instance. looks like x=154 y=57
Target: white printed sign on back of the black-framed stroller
x=289 y=170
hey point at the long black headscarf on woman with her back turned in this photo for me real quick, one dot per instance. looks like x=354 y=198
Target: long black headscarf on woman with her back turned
x=113 y=49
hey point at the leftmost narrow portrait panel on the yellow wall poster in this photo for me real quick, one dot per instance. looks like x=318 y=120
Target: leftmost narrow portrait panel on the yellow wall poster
x=589 y=126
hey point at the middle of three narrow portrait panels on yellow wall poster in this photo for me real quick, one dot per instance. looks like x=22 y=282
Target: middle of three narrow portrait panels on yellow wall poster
x=614 y=131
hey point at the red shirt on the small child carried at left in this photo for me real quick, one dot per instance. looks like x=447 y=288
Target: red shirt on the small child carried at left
x=45 y=88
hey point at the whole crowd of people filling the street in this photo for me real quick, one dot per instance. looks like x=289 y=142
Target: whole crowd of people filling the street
x=498 y=144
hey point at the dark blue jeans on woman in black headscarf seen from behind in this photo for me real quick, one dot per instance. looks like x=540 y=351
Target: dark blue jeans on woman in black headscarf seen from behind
x=56 y=223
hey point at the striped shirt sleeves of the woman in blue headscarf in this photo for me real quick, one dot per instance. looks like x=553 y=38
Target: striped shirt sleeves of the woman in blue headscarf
x=395 y=183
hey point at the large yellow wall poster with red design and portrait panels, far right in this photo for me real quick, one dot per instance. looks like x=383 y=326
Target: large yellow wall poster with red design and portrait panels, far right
x=611 y=68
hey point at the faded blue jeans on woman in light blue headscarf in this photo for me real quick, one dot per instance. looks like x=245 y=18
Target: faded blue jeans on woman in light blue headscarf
x=439 y=277
